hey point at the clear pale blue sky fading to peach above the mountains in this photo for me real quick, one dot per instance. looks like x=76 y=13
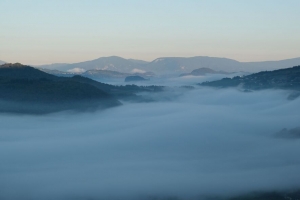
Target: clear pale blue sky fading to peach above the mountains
x=69 y=31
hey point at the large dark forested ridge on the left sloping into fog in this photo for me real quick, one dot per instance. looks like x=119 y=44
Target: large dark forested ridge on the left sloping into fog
x=24 y=89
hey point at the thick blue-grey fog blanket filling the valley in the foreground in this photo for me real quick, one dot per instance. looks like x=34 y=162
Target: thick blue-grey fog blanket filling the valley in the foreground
x=206 y=142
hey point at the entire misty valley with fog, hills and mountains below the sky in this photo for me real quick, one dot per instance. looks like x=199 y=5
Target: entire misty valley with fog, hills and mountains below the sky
x=115 y=128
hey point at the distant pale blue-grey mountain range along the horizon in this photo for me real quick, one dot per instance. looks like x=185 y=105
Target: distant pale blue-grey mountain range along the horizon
x=177 y=65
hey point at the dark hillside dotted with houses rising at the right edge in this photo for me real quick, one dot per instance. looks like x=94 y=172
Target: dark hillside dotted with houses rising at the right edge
x=288 y=78
